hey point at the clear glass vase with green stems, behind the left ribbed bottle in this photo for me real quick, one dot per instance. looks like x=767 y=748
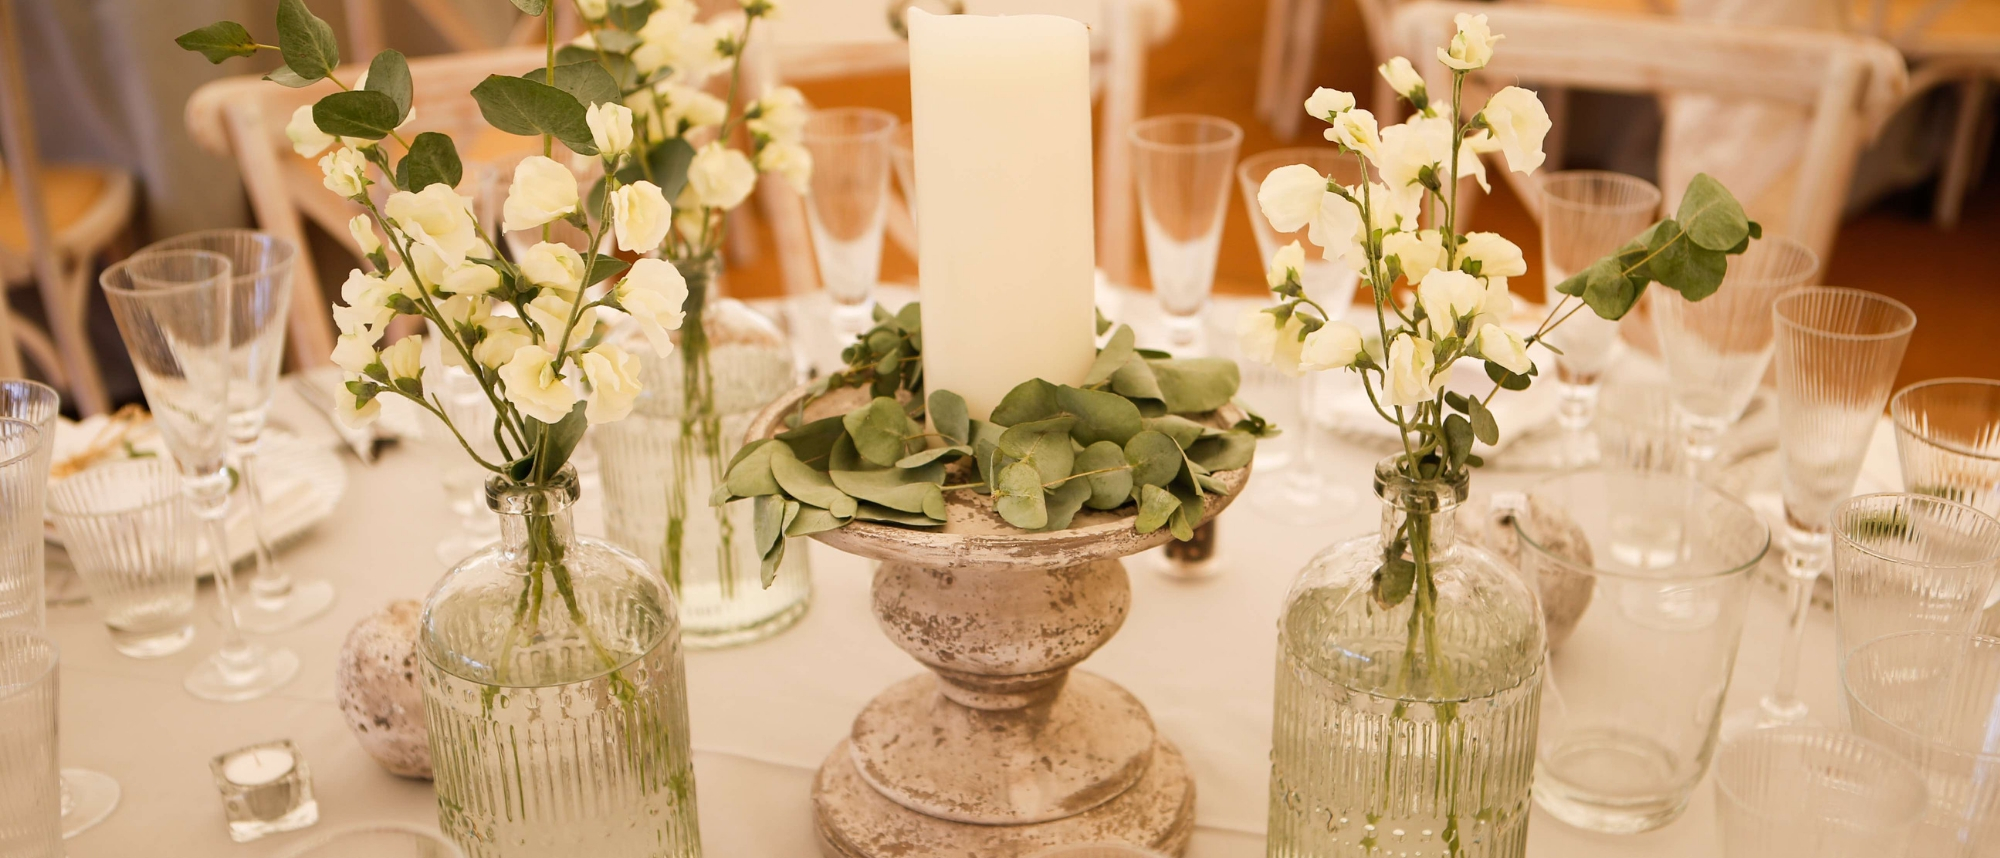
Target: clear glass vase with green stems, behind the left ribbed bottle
x=663 y=463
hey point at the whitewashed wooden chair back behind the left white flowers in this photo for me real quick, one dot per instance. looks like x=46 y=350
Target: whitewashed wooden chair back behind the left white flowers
x=245 y=119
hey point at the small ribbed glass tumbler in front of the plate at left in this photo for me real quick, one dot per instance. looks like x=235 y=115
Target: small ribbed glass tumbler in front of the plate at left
x=131 y=535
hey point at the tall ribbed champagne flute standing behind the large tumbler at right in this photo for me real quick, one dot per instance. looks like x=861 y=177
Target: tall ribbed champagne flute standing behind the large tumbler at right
x=1837 y=355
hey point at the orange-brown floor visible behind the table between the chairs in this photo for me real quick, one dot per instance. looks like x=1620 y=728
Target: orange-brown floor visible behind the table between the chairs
x=1951 y=279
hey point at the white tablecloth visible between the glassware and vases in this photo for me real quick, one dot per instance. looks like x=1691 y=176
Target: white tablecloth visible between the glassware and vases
x=1197 y=653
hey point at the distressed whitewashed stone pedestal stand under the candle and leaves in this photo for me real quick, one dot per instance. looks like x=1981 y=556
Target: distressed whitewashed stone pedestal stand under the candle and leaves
x=1001 y=751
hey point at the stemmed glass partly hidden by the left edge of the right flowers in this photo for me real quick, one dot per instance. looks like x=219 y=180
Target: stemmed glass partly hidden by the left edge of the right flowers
x=1301 y=495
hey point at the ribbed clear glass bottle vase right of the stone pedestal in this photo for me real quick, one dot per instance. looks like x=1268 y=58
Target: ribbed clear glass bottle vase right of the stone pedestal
x=1407 y=711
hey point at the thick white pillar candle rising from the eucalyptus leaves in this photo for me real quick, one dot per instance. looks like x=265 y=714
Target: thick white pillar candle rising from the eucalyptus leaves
x=1001 y=115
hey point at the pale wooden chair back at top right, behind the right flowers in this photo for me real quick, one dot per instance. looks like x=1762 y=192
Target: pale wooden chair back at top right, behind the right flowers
x=1845 y=83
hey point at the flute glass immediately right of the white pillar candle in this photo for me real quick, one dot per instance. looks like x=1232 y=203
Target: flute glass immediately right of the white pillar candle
x=1183 y=171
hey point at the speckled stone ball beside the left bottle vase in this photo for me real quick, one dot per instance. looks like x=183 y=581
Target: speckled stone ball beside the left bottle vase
x=381 y=689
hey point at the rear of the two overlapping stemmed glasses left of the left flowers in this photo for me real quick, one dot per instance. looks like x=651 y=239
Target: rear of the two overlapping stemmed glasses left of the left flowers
x=261 y=301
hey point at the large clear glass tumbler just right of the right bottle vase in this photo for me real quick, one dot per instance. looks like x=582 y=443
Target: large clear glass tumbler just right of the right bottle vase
x=1637 y=691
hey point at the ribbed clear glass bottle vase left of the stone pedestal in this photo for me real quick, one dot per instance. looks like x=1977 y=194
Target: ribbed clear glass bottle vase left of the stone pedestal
x=555 y=693
